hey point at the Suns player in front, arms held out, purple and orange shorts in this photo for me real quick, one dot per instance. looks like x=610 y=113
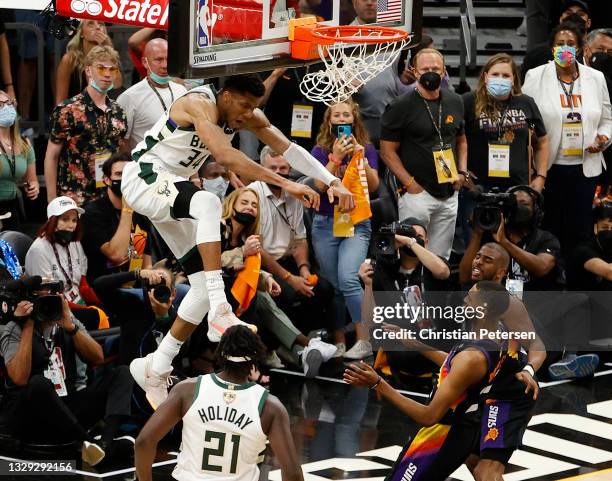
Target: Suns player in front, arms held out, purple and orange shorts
x=452 y=418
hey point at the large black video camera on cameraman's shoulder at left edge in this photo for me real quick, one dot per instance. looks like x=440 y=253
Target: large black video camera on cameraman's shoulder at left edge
x=45 y=297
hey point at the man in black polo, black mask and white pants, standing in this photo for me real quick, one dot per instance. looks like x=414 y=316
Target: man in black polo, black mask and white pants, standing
x=423 y=143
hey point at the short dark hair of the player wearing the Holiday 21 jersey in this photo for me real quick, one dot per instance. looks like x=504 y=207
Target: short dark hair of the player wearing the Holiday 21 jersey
x=240 y=341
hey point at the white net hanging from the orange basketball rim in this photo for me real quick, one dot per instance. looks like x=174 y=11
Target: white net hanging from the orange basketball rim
x=349 y=64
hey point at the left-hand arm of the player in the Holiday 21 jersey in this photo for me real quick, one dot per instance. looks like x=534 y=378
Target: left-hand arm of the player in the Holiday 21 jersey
x=169 y=413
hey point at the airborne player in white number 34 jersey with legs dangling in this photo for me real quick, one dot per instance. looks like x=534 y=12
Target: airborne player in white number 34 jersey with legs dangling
x=199 y=124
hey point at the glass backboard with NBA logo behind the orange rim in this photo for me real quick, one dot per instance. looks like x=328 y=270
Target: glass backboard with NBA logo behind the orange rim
x=209 y=38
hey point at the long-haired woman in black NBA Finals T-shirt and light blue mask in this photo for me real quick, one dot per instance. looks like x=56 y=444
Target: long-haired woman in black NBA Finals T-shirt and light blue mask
x=498 y=117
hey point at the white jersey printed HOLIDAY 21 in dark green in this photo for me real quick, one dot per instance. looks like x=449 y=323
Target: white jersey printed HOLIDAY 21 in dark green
x=222 y=434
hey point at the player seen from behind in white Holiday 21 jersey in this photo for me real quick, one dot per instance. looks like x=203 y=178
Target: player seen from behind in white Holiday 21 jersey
x=226 y=420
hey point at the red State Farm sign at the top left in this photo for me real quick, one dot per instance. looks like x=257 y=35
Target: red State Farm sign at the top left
x=144 y=13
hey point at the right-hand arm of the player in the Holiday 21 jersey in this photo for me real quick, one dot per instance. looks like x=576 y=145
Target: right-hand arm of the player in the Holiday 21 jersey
x=276 y=420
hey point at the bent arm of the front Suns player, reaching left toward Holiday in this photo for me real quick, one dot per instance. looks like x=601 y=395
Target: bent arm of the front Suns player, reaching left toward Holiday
x=469 y=367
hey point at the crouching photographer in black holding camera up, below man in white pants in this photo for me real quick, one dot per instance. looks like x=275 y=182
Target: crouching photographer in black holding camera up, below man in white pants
x=399 y=268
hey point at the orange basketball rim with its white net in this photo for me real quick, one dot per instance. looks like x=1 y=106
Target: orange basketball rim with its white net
x=352 y=55
